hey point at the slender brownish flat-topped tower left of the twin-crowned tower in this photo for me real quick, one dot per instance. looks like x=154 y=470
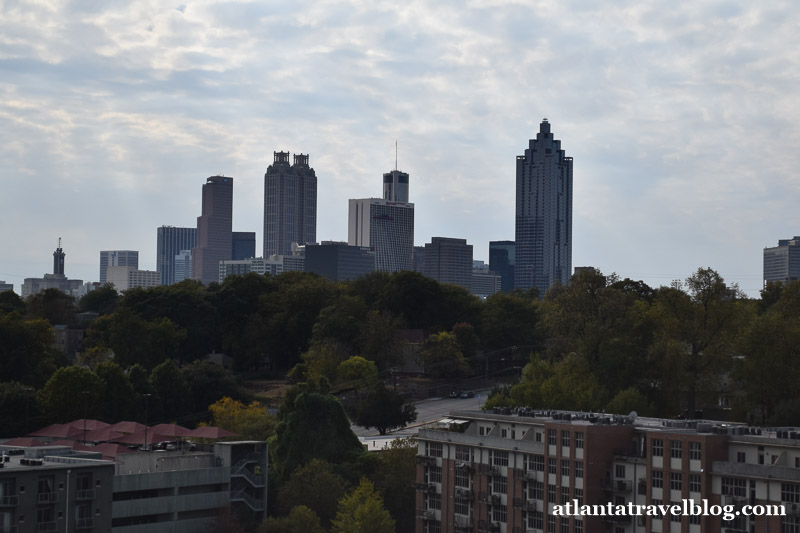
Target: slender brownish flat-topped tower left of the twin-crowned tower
x=214 y=234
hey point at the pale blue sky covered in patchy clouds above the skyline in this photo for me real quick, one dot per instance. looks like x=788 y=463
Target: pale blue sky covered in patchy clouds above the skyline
x=682 y=119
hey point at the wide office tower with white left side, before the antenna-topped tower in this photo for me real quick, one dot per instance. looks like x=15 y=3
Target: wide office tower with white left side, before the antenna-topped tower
x=385 y=227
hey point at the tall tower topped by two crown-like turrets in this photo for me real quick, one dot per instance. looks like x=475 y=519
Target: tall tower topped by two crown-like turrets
x=290 y=204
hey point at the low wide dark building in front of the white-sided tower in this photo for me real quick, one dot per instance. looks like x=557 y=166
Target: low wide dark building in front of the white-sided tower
x=338 y=261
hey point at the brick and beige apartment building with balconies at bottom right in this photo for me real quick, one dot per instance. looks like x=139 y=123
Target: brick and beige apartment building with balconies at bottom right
x=503 y=471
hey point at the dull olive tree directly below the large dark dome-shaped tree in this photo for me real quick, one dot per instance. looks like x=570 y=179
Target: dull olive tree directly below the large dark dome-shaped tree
x=314 y=486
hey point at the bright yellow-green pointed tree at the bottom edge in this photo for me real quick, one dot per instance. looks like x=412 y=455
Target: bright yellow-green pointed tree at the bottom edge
x=362 y=511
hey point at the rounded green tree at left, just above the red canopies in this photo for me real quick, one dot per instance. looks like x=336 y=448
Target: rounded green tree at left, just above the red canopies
x=62 y=399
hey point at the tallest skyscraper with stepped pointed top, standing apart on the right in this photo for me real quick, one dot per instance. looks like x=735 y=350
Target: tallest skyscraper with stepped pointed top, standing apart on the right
x=544 y=214
